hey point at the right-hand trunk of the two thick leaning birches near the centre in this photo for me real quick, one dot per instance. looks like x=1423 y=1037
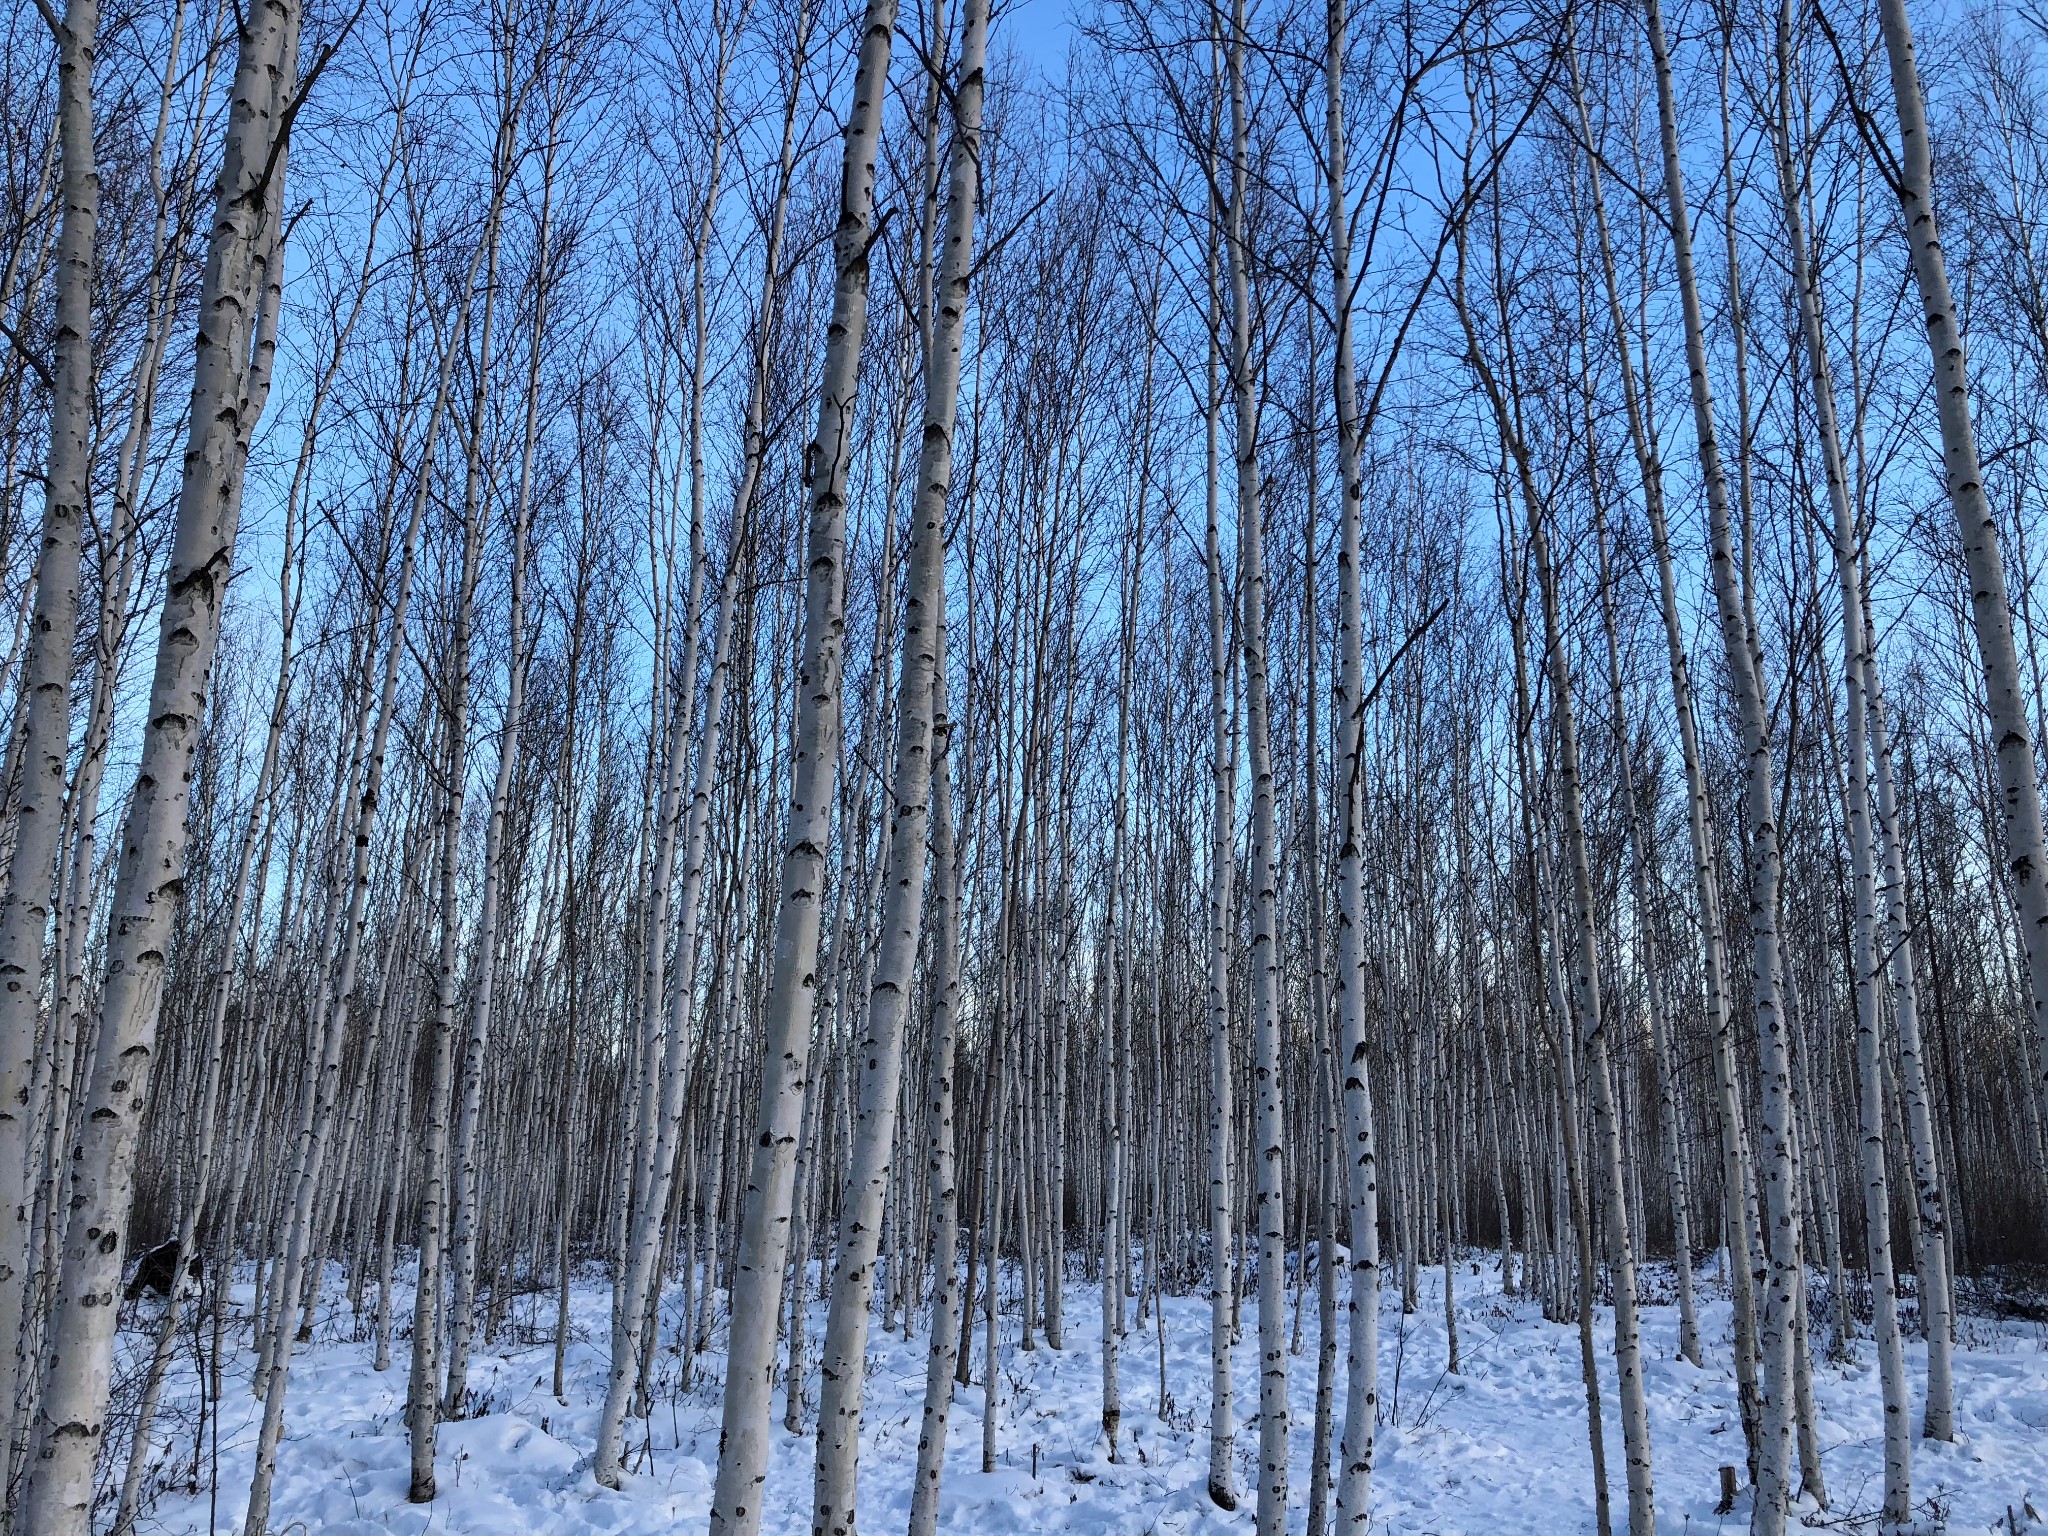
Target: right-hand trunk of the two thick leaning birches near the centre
x=882 y=1048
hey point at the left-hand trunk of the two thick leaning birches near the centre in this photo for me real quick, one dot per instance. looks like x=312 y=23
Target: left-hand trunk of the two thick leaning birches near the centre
x=736 y=1506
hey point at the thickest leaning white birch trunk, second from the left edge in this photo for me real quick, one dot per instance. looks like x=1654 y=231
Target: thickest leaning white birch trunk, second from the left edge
x=230 y=384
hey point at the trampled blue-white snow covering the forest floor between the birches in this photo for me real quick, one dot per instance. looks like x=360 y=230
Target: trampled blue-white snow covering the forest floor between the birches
x=1496 y=1449
